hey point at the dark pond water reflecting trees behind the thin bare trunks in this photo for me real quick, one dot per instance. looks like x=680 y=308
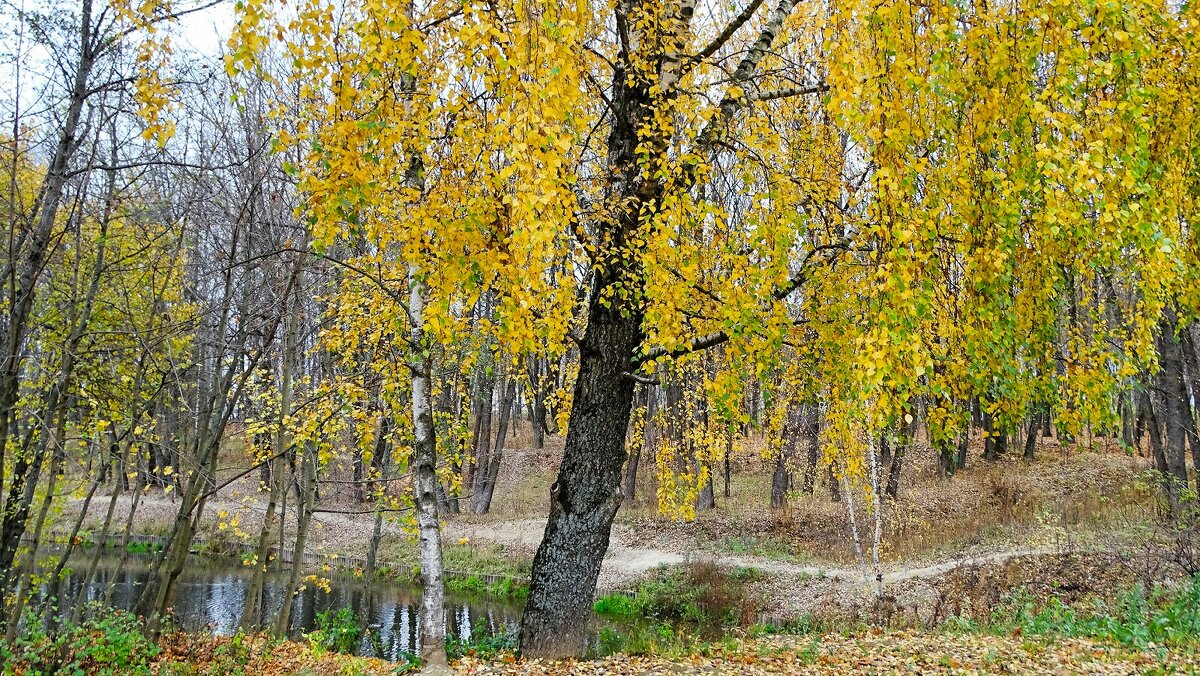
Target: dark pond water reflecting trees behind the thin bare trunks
x=212 y=593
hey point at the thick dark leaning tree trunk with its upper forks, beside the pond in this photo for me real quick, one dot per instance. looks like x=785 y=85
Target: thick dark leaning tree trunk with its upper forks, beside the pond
x=587 y=493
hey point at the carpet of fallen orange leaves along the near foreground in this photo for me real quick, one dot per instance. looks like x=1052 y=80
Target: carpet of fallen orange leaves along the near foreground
x=878 y=653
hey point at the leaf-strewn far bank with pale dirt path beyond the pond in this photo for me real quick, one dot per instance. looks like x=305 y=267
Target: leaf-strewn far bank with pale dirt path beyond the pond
x=1078 y=518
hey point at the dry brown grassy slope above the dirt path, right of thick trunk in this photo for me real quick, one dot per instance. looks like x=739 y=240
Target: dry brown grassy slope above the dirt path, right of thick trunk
x=1069 y=496
